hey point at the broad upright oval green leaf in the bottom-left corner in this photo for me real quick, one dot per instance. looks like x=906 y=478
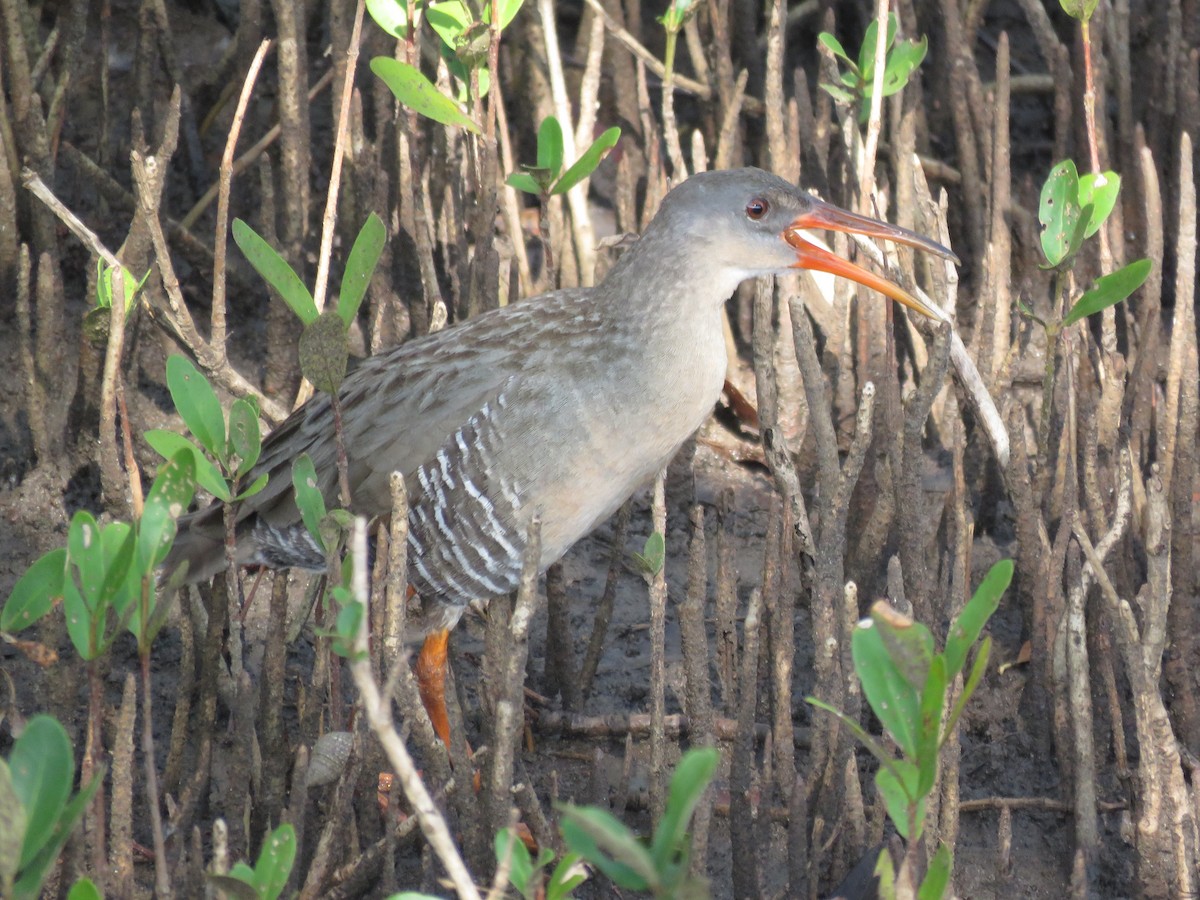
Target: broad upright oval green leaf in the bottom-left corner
x=43 y=770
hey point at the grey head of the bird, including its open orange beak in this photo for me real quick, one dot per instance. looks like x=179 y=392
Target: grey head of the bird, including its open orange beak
x=748 y=223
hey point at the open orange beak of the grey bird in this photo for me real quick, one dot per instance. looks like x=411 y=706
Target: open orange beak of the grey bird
x=830 y=218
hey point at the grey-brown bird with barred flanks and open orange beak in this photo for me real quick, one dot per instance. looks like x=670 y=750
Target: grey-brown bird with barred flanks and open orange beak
x=556 y=407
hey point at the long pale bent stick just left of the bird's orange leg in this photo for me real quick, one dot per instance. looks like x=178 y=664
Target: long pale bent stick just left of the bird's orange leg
x=379 y=712
